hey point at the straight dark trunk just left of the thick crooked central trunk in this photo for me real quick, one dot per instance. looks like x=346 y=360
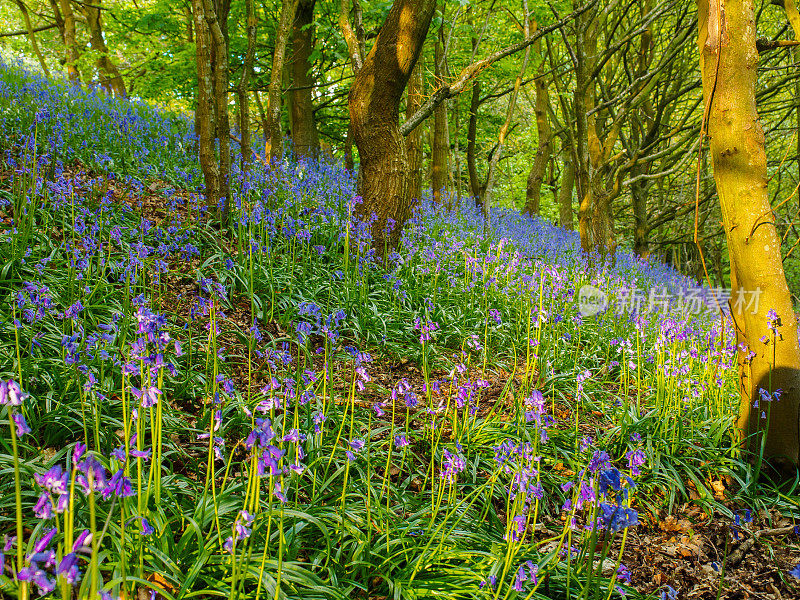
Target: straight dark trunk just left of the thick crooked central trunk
x=304 y=127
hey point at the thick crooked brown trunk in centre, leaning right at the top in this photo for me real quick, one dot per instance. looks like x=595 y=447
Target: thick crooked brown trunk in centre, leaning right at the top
x=374 y=105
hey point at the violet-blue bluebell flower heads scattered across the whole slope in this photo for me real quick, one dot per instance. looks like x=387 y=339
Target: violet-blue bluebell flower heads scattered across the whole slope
x=513 y=265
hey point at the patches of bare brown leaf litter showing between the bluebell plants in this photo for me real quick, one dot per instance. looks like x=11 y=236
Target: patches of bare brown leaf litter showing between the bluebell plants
x=700 y=556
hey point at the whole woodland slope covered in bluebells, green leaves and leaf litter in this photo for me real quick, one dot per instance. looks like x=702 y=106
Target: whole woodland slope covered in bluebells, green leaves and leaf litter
x=468 y=424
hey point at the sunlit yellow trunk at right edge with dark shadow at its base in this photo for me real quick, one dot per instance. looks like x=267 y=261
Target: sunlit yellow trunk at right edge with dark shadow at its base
x=728 y=62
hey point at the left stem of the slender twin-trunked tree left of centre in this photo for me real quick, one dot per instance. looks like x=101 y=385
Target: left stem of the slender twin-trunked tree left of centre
x=204 y=122
